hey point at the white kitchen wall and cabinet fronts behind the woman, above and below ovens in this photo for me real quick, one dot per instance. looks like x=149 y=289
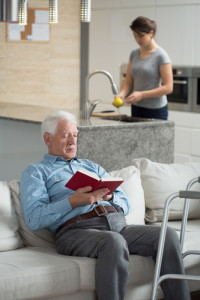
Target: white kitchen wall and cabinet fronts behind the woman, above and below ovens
x=111 y=42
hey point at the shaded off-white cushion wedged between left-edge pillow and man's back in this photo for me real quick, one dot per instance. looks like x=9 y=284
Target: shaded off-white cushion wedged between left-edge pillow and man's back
x=39 y=238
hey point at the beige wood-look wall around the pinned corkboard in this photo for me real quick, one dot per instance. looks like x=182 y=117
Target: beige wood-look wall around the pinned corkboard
x=44 y=73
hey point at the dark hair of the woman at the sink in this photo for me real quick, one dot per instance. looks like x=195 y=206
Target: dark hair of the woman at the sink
x=142 y=24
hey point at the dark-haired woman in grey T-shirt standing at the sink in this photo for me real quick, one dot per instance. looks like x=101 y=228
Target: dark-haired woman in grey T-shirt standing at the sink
x=149 y=74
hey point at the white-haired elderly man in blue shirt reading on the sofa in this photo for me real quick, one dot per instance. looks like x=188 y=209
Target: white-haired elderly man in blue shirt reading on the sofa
x=91 y=223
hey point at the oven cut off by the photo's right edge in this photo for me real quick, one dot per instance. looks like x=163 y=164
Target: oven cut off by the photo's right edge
x=196 y=90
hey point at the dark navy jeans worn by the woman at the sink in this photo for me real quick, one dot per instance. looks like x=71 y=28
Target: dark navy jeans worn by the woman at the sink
x=156 y=113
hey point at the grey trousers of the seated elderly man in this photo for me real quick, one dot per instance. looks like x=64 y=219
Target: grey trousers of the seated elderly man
x=110 y=240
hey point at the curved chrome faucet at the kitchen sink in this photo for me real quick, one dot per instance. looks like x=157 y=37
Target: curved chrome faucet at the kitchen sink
x=90 y=106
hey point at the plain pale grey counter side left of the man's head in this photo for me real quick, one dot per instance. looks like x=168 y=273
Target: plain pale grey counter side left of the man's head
x=21 y=143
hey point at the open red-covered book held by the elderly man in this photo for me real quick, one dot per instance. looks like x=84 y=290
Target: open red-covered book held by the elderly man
x=84 y=178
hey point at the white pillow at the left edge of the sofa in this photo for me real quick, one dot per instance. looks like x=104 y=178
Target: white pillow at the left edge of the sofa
x=9 y=235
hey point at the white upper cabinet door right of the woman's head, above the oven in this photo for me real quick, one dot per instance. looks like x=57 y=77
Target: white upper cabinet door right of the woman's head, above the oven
x=176 y=32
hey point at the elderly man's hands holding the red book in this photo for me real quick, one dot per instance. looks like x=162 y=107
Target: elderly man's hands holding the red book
x=84 y=196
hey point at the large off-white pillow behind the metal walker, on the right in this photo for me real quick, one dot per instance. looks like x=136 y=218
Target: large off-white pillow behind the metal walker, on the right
x=159 y=180
